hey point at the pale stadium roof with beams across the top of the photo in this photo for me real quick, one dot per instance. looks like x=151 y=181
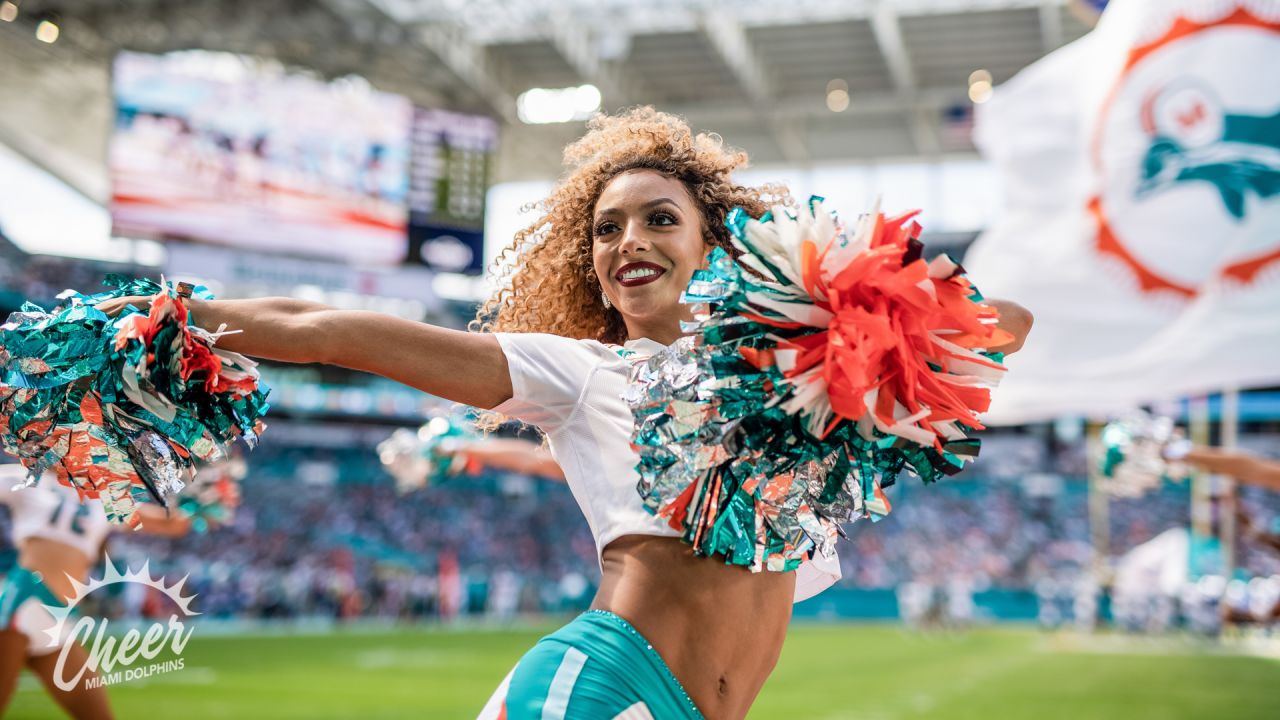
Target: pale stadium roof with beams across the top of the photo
x=756 y=71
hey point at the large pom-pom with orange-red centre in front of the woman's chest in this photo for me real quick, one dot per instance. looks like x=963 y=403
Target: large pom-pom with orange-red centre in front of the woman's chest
x=821 y=366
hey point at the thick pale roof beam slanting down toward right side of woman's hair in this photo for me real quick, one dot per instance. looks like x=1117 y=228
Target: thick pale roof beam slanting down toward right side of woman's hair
x=729 y=39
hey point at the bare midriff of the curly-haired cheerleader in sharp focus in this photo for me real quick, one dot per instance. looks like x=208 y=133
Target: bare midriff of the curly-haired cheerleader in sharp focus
x=720 y=628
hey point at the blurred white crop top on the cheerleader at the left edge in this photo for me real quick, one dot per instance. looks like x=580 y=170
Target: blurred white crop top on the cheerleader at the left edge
x=54 y=512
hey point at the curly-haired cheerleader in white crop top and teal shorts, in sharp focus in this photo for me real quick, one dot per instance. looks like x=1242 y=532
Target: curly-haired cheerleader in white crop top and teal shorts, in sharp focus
x=593 y=286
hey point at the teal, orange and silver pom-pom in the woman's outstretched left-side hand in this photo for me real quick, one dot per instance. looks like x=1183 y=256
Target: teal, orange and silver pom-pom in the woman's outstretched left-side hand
x=121 y=408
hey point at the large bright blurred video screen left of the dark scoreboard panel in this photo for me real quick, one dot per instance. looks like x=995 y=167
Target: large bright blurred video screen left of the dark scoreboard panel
x=230 y=151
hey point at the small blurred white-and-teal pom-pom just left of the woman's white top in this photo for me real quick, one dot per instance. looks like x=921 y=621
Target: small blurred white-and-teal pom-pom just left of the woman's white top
x=429 y=455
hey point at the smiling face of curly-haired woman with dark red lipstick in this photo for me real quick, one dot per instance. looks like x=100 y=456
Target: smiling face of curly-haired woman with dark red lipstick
x=648 y=239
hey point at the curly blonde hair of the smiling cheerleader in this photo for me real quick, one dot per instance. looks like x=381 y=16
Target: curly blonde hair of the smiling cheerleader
x=548 y=282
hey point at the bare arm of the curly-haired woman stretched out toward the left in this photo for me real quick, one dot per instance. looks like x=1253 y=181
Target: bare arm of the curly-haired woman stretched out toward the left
x=468 y=368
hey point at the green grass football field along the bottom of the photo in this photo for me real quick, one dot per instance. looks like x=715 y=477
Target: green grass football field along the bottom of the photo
x=828 y=672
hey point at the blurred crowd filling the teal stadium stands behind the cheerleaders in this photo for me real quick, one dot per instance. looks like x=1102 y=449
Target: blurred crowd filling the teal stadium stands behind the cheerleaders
x=323 y=534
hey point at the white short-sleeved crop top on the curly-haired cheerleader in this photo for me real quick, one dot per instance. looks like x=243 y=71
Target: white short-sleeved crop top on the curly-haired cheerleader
x=573 y=390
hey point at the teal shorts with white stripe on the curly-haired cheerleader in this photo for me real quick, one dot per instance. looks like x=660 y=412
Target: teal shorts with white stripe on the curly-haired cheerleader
x=597 y=668
